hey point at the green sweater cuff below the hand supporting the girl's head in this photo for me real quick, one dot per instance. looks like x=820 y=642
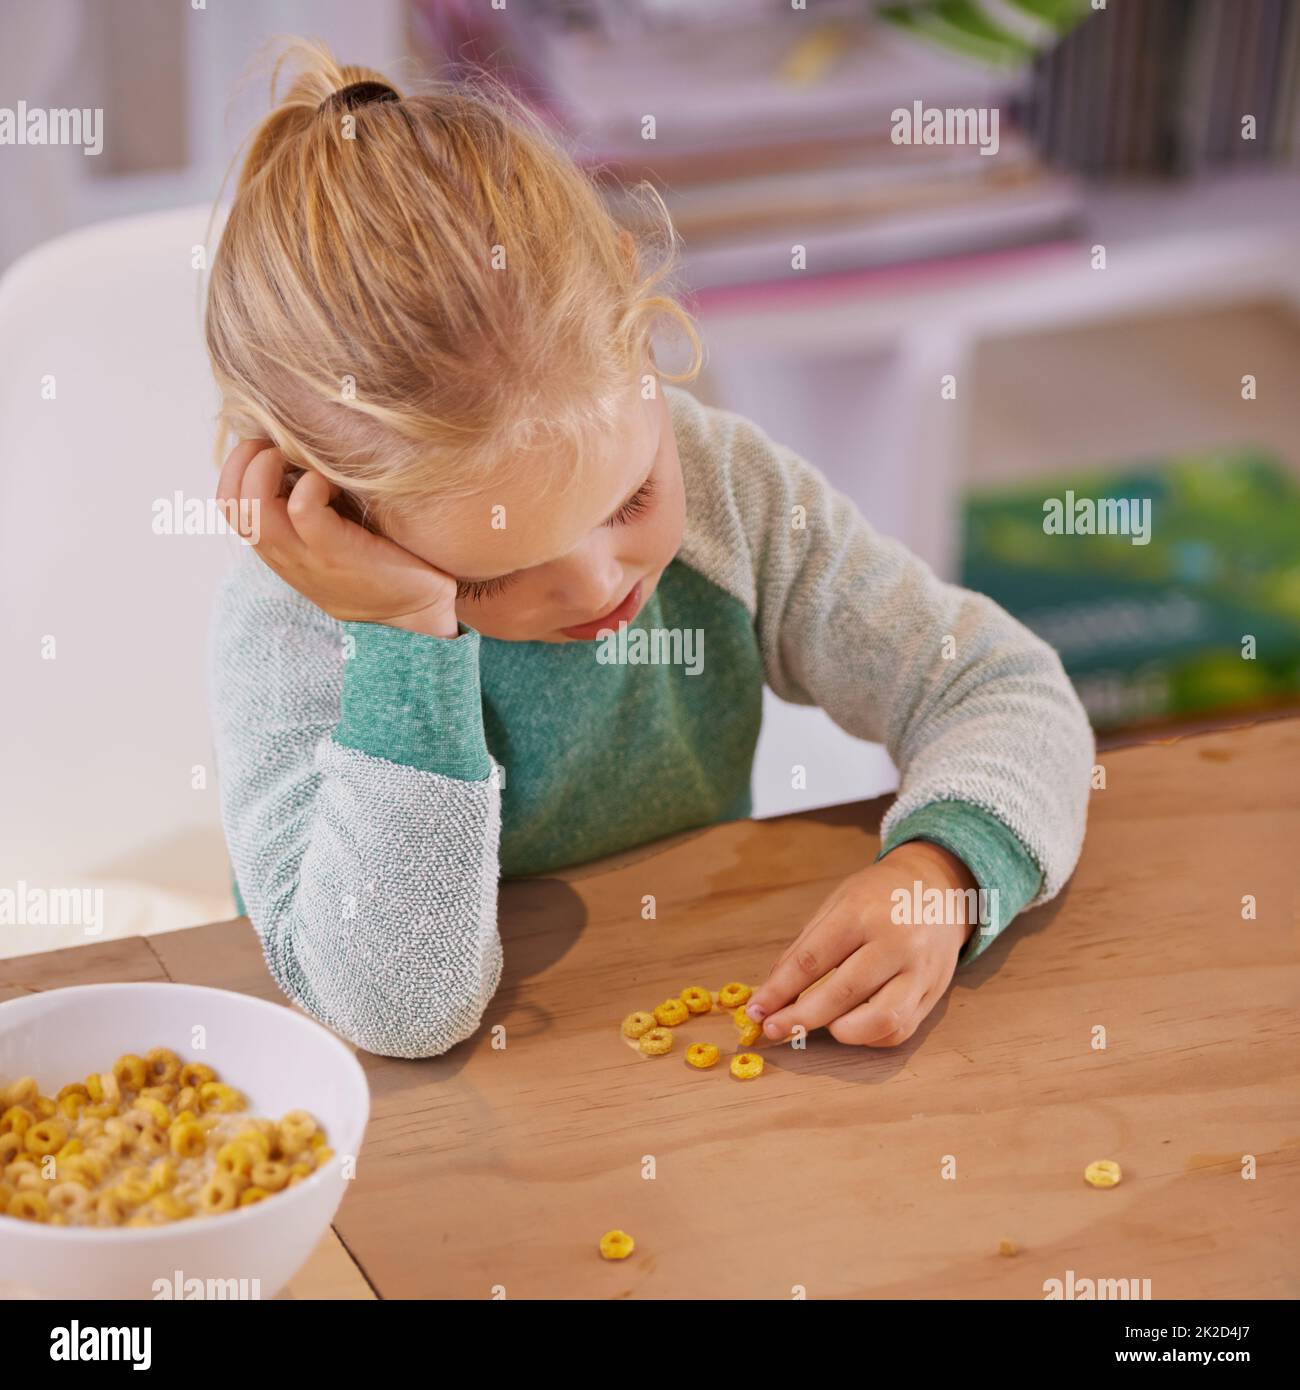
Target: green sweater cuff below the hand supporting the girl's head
x=415 y=700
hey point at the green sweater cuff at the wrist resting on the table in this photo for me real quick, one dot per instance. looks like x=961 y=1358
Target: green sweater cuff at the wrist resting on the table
x=1000 y=865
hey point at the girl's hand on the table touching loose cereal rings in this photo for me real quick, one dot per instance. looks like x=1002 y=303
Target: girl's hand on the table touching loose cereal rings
x=868 y=979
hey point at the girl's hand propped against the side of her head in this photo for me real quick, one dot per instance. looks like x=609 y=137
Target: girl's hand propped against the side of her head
x=346 y=571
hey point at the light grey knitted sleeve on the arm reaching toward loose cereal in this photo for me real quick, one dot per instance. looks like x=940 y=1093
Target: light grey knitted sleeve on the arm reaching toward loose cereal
x=971 y=705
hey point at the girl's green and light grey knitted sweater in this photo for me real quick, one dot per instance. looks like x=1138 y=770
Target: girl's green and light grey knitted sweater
x=377 y=783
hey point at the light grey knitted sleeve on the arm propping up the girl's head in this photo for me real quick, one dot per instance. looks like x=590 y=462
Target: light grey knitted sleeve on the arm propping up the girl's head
x=372 y=883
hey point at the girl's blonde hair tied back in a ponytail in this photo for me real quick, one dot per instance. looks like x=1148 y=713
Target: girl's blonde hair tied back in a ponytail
x=415 y=295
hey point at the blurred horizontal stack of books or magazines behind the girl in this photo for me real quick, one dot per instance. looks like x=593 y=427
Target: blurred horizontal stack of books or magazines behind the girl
x=772 y=134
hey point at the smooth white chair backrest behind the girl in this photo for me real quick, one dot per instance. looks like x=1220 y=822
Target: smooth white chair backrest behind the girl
x=108 y=412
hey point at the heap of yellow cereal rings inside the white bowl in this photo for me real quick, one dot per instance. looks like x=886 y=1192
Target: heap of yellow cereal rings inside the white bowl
x=151 y=1140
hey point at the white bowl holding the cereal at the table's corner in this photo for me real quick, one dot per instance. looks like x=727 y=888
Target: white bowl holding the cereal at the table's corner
x=280 y=1060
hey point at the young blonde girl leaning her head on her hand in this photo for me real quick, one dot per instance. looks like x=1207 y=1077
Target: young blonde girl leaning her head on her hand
x=462 y=465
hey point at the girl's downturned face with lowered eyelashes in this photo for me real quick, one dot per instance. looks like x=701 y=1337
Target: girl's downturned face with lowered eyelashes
x=555 y=569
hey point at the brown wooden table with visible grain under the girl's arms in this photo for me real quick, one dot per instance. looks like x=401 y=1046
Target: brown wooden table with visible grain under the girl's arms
x=500 y=1168
